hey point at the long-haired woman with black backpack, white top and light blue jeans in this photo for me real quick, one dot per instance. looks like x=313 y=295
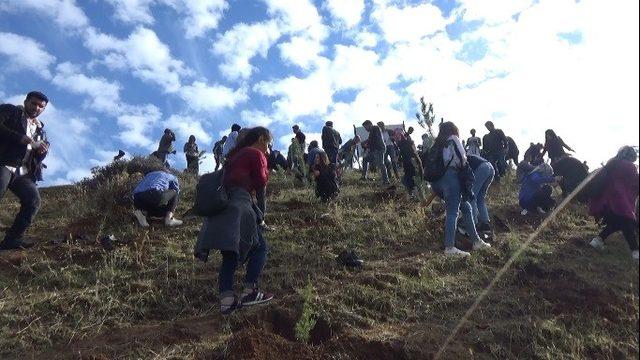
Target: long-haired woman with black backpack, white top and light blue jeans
x=449 y=188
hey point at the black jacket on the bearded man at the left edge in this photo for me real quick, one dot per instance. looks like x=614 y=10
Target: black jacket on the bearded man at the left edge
x=12 y=151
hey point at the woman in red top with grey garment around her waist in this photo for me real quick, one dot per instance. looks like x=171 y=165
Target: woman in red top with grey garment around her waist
x=236 y=231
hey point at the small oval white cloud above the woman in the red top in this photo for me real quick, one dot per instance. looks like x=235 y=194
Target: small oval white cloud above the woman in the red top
x=202 y=97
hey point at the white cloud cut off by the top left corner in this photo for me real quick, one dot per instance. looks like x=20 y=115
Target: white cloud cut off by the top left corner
x=65 y=13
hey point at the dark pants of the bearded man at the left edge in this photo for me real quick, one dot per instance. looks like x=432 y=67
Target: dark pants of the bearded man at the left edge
x=27 y=192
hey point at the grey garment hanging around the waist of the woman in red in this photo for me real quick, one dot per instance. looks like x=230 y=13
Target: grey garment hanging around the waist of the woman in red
x=234 y=229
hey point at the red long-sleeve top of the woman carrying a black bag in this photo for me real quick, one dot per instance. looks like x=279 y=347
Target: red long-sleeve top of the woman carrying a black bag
x=248 y=169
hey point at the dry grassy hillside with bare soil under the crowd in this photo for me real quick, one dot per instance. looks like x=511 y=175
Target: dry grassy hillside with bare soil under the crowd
x=148 y=297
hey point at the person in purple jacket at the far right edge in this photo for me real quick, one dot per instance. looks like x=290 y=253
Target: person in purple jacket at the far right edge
x=615 y=204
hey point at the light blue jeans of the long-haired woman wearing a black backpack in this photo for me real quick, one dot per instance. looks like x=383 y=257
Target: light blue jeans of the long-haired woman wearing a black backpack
x=448 y=189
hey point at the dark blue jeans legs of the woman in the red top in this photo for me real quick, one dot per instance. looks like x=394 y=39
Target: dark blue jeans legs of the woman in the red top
x=256 y=259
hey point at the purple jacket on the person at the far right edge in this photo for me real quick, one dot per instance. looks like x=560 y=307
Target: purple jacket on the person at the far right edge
x=620 y=193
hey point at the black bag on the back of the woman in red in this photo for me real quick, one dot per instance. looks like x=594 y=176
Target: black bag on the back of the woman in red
x=211 y=195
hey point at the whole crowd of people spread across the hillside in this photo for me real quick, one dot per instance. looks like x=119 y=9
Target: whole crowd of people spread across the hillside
x=458 y=172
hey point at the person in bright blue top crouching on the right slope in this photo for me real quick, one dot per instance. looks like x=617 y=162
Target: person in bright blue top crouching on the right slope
x=535 y=192
